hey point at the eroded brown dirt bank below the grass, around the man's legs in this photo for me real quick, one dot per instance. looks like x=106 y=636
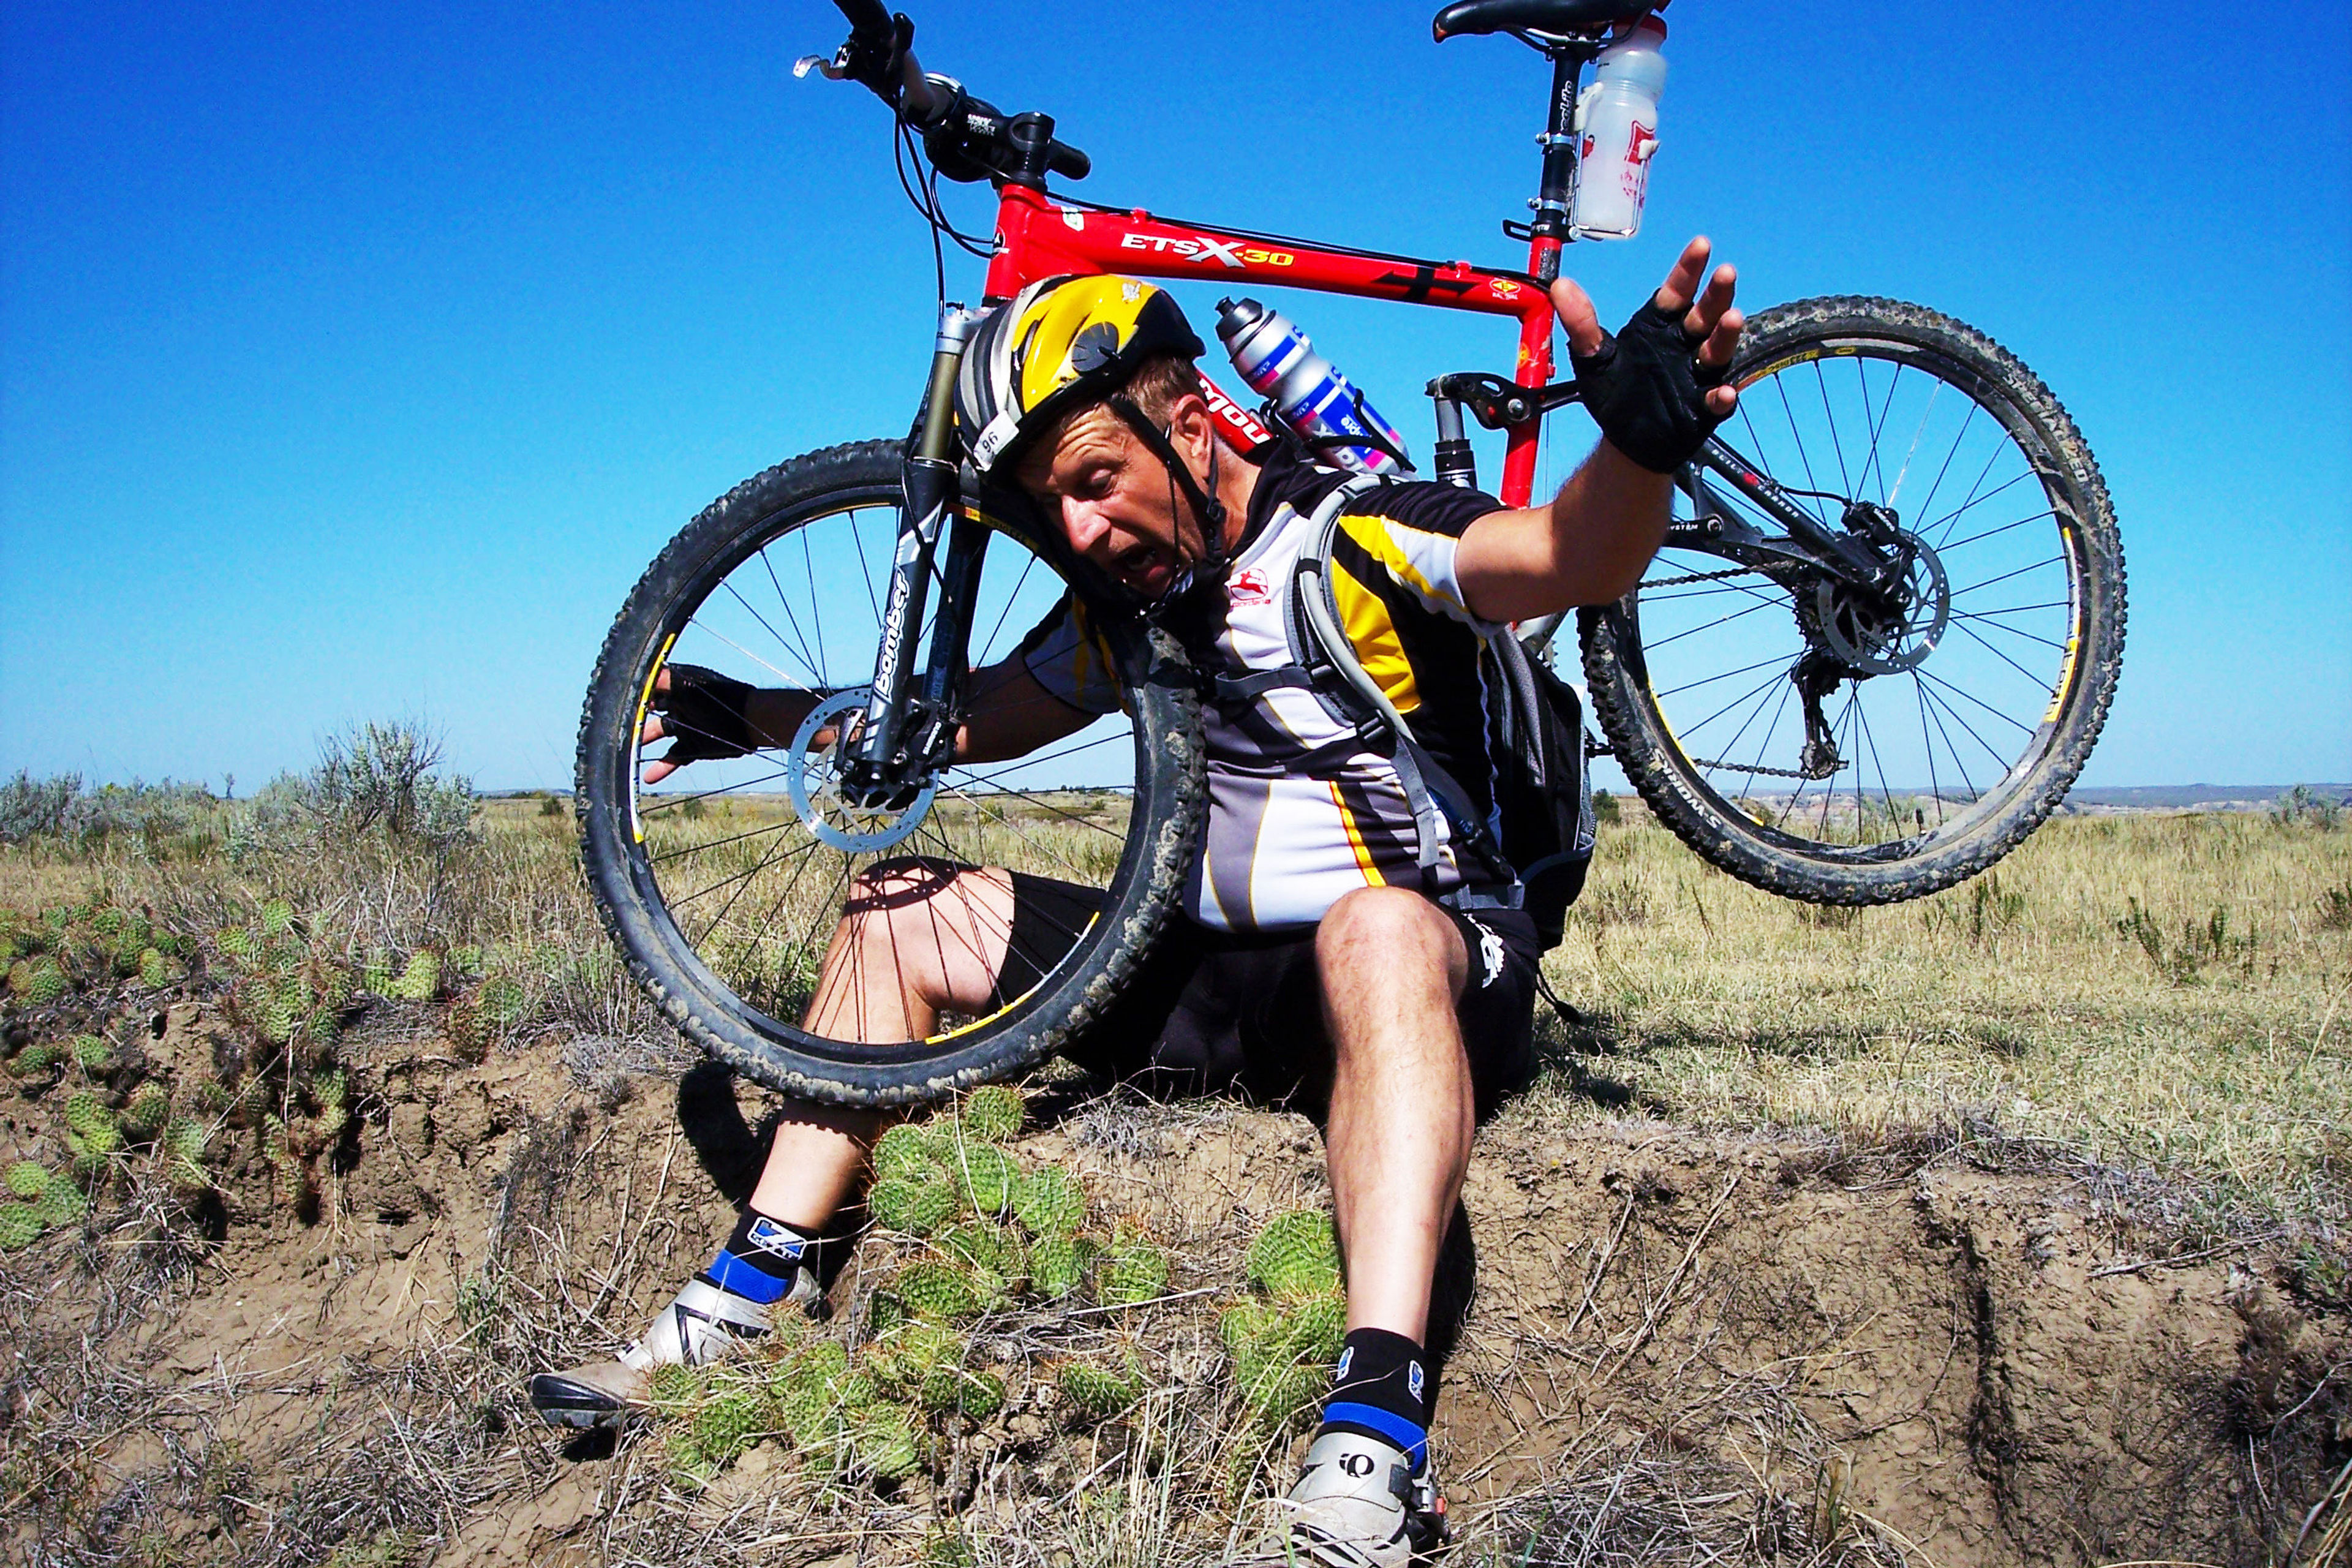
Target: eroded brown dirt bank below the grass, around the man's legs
x=1662 y=1346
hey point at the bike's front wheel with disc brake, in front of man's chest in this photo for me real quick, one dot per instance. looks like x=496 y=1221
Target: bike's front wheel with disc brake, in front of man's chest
x=728 y=880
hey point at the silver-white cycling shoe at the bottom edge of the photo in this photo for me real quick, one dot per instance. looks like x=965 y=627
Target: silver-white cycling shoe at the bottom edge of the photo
x=1358 y=1506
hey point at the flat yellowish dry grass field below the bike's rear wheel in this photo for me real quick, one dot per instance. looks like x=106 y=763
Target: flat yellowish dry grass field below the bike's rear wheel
x=2160 y=991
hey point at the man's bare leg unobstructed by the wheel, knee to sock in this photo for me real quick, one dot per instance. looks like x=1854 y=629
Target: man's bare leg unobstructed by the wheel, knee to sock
x=1403 y=1108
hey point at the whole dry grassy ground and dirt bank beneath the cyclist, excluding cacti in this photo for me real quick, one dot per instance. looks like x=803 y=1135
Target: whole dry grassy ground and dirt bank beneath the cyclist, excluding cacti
x=2151 y=1000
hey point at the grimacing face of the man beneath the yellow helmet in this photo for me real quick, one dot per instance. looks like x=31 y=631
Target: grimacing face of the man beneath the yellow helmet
x=1116 y=502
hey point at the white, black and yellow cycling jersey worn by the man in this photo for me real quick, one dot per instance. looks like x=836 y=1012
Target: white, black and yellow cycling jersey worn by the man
x=1299 y=810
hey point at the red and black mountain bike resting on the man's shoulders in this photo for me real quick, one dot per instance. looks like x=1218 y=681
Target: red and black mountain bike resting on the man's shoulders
x=1869 y=662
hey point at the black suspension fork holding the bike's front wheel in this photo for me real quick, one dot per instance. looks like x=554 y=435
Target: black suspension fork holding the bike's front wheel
x=909 y=723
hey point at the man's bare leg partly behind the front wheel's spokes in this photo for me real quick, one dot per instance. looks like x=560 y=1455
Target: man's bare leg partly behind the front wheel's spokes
x=916 y=939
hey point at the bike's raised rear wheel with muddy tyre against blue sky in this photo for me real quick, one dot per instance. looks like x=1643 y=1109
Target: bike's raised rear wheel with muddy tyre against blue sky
x=1869 y=749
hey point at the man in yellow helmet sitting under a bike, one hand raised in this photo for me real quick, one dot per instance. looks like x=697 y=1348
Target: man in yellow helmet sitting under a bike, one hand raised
x=1316 y=956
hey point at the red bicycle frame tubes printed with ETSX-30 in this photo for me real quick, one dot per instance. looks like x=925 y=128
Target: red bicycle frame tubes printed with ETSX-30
x=1043 y=239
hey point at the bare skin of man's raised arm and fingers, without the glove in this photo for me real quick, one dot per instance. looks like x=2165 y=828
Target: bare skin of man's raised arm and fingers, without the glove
x=1589 y=547
